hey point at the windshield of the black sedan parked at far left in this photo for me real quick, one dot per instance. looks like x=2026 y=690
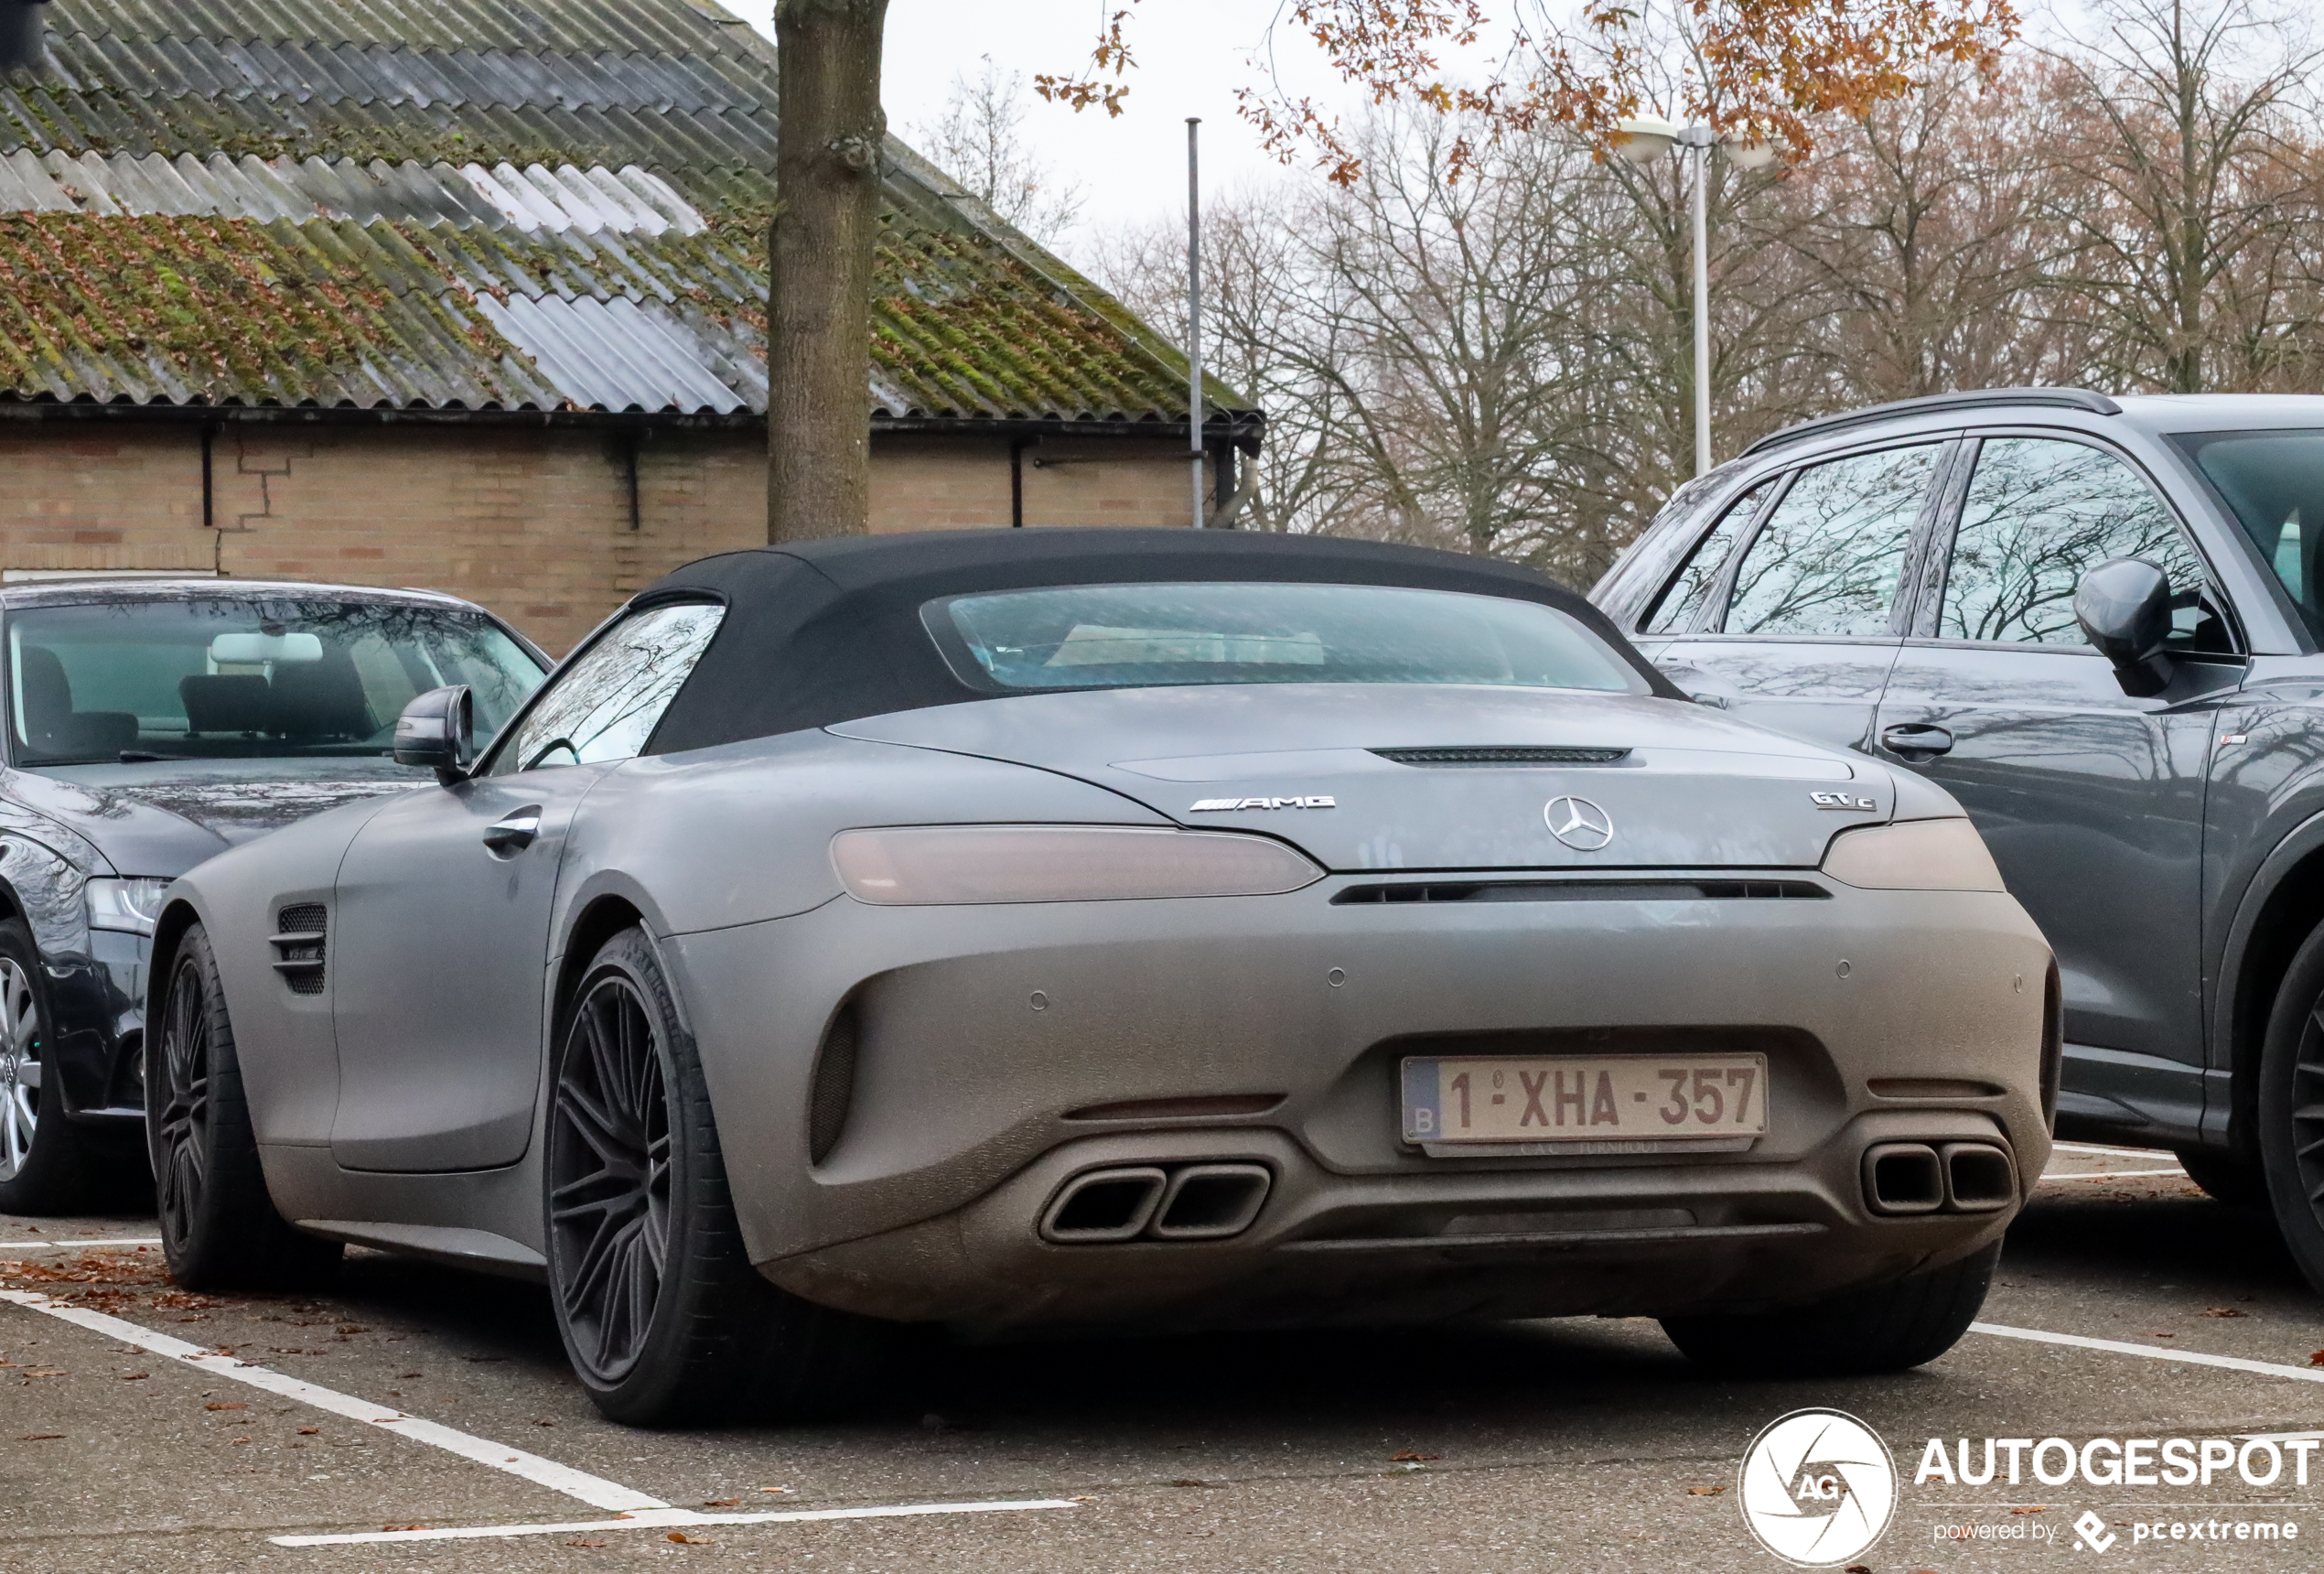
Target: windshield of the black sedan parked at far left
x=222 y=678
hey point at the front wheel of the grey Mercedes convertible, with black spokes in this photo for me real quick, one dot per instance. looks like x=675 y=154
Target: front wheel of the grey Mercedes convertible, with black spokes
x=217 y=1222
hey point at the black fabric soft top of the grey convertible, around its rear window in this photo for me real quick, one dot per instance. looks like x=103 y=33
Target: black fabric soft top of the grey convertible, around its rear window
x=831 y=631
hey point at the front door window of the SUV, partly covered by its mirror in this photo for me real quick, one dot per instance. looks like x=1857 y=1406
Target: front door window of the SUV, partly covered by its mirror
x=2039 y=515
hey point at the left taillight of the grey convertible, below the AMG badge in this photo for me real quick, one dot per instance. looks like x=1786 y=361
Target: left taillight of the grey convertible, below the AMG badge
x=931 y=866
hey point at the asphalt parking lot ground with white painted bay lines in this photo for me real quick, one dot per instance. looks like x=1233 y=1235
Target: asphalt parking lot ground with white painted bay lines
x=424 y=1419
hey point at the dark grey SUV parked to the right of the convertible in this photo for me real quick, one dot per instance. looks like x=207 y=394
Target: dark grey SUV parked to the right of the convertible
x=2102 y=627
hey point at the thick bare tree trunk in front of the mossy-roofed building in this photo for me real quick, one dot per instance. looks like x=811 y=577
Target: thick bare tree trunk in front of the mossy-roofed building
x=819 y=269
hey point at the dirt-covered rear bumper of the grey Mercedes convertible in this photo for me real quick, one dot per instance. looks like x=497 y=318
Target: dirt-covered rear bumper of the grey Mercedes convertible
x=991 y=1045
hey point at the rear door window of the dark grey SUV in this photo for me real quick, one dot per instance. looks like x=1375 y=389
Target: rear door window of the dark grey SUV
x=1832 y=552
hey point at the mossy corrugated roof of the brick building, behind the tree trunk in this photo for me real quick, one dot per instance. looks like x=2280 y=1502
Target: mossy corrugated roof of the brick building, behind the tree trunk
x=473 y=203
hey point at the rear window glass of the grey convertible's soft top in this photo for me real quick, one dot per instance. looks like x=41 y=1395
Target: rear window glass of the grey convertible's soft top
x=1268 y=634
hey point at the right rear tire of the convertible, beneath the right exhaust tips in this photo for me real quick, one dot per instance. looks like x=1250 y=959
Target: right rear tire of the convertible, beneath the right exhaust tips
x=1886 y=1329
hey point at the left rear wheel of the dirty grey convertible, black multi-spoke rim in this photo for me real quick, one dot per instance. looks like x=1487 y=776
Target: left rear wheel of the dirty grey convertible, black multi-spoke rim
x=661 y=1310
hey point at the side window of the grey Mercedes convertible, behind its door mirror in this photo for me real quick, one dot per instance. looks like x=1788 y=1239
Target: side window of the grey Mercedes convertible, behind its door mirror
x=608 y=703
